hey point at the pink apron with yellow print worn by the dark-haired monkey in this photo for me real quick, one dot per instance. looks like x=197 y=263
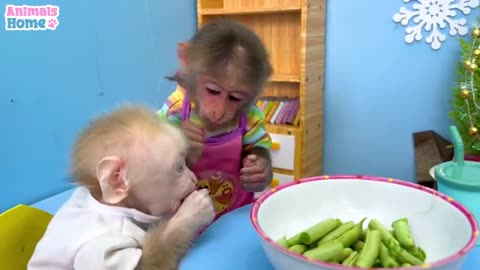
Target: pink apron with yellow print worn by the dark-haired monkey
x=218 y=168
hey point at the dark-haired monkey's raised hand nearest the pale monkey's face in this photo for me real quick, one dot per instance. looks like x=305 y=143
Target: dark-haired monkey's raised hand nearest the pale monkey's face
x=196 y=136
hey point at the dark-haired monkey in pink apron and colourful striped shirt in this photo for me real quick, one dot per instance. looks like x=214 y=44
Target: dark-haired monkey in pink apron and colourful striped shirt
x=224 y=69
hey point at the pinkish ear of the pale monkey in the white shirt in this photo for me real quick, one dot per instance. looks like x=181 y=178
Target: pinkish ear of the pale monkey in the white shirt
x=111 y=174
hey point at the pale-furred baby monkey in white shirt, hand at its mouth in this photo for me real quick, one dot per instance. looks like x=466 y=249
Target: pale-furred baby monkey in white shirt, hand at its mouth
x=135 y=208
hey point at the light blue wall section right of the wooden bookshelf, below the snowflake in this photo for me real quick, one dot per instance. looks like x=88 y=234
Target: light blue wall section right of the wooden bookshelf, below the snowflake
x=379 y=90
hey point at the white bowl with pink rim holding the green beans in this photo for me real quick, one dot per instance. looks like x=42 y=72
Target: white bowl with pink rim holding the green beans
x=444 y=228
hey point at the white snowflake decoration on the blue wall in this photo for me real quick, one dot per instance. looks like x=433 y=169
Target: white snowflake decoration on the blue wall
x=432 y=16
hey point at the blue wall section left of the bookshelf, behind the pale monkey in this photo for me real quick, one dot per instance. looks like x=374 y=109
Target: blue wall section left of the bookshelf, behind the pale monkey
x=52 y=82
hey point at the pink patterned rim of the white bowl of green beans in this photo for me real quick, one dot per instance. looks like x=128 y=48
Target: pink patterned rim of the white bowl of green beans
x=473 y=223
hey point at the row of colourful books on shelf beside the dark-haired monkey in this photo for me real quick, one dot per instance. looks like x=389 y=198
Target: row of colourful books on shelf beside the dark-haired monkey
x=280 y=110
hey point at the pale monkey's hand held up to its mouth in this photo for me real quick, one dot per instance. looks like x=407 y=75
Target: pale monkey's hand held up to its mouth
x=196 y=211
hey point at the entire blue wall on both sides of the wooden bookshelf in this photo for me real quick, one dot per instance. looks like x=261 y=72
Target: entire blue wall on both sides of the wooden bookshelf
x=378 y=90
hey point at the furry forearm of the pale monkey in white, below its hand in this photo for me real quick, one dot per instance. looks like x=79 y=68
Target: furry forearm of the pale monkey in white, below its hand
x=165 y=245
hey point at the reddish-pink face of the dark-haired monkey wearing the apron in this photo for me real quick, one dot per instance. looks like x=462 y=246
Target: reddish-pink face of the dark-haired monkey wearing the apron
x=217 y=103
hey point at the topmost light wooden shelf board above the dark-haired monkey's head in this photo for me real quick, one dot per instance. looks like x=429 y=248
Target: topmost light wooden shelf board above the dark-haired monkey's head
x=250 y=10
